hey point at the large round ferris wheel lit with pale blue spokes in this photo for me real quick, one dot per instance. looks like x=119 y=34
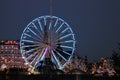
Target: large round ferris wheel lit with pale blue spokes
x=47 y=36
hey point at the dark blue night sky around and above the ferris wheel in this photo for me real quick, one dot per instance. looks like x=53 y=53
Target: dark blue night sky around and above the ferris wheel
x=96 y=23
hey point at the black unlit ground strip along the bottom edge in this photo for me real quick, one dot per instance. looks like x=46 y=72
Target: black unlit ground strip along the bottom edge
x=56 y=77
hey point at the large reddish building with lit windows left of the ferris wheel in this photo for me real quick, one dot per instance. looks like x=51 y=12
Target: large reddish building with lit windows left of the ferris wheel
x=10 y=54
